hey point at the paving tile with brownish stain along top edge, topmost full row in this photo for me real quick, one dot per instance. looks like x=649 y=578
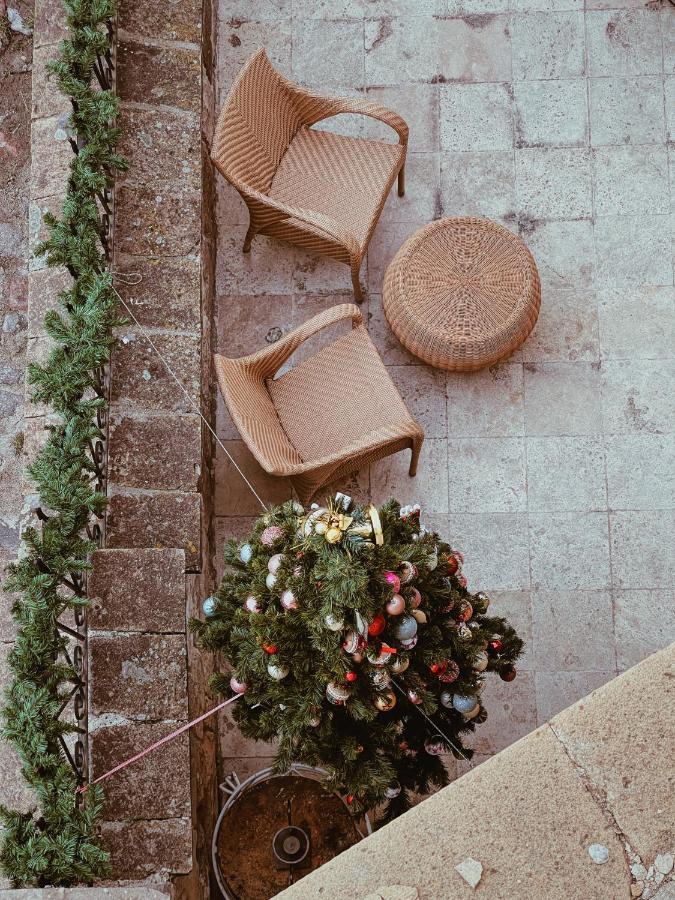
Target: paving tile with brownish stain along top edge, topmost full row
x=475 y=48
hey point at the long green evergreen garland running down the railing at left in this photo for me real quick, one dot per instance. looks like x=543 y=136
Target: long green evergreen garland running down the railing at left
x=57 y=844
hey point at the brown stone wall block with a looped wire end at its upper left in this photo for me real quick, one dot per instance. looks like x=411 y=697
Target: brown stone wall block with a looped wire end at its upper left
x=168 y=293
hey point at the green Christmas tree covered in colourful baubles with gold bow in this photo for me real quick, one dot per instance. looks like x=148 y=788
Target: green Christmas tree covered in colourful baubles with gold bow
x=355 y=644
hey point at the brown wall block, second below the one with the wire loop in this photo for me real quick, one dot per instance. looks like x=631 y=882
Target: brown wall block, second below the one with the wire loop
x=159 y=453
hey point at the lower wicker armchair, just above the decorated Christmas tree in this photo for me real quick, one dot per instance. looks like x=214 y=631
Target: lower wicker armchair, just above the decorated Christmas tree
x=328 y=416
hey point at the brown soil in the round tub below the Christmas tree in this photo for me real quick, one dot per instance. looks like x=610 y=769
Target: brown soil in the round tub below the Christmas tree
x=247 y=863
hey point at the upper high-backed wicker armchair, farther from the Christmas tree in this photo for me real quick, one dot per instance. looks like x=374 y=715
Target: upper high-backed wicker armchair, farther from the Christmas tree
x=322 y=191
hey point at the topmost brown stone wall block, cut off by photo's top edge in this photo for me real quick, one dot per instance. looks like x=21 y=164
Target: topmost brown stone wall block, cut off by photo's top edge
x=163 y=20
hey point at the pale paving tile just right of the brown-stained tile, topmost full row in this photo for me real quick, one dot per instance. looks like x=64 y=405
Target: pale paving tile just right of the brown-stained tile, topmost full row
x=547 y=45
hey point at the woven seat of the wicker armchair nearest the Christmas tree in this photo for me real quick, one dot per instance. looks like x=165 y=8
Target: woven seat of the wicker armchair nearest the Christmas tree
x=337 y=396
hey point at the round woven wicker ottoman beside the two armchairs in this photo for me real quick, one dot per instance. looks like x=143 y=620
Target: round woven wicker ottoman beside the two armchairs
x=462 y=293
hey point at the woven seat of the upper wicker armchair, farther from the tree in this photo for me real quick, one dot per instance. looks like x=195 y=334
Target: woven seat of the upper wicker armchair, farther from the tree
x=345 y=178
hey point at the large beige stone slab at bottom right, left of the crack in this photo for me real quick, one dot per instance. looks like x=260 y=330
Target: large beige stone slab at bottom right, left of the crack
x=534 y=780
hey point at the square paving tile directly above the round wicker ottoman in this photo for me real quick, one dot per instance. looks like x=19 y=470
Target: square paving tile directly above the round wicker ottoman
x=478 y=184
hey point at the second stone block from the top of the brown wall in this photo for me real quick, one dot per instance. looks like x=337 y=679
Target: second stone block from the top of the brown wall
x=163 y=75
